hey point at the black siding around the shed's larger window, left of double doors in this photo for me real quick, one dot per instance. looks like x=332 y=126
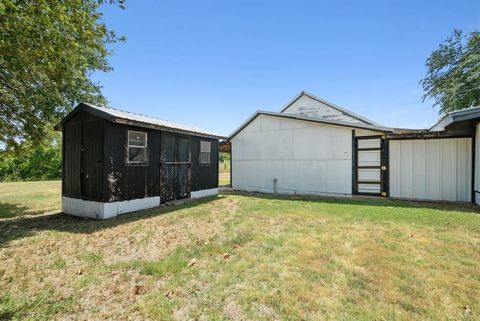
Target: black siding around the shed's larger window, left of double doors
x=126 y=182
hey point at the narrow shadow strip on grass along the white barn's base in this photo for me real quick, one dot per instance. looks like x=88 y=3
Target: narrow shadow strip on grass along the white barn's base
x=367 y=201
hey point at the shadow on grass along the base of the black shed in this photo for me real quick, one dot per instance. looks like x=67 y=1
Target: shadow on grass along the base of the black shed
x=21 y=227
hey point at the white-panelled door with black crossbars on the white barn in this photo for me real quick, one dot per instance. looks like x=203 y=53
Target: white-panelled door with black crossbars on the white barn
x=370 y=171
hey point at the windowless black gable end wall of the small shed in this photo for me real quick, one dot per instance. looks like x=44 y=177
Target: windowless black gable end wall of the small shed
x=83 y=171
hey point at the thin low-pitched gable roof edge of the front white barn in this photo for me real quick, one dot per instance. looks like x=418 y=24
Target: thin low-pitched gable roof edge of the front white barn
x=310 y=119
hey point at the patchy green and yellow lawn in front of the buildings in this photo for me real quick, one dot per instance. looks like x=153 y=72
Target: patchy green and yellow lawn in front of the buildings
x=245 y=257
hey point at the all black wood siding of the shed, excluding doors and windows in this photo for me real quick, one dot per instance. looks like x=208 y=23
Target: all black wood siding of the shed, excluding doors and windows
x=100 y=172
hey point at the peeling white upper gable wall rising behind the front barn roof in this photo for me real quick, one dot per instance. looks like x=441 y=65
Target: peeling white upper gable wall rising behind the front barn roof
x=309 y=107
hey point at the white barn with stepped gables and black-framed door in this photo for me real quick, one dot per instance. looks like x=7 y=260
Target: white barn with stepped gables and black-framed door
x=315 y=147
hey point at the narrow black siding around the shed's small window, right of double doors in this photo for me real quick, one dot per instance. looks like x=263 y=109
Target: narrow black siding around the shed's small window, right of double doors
x=204 y=176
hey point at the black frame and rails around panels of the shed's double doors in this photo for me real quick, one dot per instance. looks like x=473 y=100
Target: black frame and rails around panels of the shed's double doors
x=175 y=165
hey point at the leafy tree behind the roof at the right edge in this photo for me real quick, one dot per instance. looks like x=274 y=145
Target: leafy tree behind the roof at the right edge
x=453 y=73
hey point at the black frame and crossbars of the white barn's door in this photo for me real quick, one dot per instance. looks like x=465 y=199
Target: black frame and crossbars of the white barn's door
x=383 y=167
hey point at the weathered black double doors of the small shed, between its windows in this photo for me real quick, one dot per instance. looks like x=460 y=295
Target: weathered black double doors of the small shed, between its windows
x=175 y=180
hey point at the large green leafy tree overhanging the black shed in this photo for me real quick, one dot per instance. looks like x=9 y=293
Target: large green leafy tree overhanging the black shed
x=48 y=50
